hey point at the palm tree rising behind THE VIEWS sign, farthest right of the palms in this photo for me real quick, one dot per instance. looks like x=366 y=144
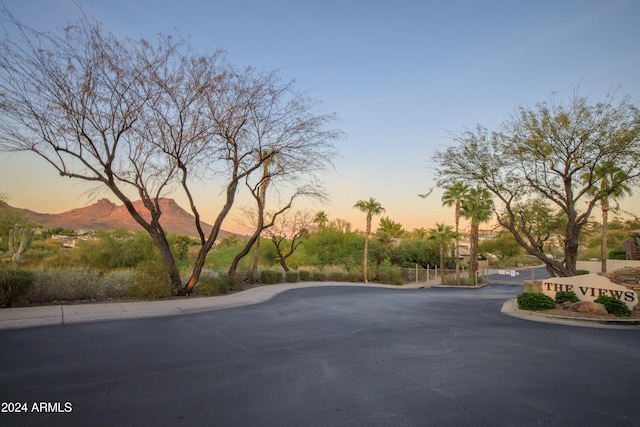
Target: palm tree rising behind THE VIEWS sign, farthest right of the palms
x=607 y=173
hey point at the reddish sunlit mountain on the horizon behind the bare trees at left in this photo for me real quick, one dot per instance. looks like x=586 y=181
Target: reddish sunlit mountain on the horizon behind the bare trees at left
x=104 y=215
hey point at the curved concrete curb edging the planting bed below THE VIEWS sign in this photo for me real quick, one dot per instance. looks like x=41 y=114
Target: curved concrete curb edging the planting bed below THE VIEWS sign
x=510 y=308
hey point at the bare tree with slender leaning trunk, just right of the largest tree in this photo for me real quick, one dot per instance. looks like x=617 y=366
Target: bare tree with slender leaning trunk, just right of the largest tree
x=293 y=150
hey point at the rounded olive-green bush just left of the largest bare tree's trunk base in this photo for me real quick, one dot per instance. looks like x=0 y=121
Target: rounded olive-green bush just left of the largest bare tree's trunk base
x=150 y=281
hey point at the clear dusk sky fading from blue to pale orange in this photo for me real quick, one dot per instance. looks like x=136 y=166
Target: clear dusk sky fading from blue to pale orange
x=400 y=75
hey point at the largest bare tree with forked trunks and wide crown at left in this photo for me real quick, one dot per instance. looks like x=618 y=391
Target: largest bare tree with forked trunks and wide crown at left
x=144 y=120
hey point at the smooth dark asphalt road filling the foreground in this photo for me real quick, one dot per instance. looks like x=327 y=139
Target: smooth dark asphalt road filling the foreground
x=328 y=356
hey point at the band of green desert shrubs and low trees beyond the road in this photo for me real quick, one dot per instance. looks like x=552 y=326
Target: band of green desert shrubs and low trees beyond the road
x=119 y=264
